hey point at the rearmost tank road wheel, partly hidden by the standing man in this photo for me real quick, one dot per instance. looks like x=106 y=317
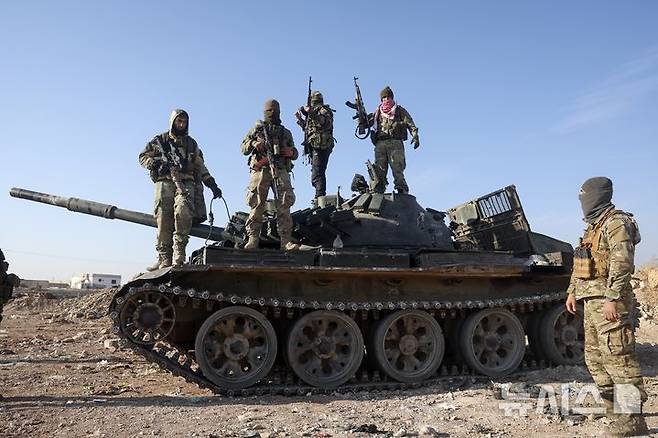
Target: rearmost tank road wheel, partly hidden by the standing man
x=562 y=338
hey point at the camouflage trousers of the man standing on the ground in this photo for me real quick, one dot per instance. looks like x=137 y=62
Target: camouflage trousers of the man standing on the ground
x=610 y=348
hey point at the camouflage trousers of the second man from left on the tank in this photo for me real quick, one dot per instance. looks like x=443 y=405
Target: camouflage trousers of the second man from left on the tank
x=260 y=183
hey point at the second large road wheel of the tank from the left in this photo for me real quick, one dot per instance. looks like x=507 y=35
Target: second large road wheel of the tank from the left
x=325 y=348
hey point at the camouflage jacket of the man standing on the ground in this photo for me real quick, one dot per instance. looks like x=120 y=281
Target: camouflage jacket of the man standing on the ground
x=615 y=254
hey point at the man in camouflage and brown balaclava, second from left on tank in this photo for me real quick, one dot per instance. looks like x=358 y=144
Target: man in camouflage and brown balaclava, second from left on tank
x=281 y=145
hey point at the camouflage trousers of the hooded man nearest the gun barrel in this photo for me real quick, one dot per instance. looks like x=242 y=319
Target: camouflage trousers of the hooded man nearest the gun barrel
x=173 y=214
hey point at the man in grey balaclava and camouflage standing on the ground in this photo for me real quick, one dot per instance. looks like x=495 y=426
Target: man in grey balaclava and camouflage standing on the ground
x=603 y=265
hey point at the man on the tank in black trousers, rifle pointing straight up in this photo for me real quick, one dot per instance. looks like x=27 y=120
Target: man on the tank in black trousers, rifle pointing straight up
x=317 y=122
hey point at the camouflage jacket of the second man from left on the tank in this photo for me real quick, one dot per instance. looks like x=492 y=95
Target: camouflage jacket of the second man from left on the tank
x=279 y=136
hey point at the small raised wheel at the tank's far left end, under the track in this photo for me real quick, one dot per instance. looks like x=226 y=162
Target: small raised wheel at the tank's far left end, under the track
x=147 y=317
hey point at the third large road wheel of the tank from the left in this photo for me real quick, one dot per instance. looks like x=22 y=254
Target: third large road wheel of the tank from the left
x=408 y=345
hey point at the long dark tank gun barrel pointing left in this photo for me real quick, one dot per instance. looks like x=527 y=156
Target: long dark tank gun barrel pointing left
x=108 y=211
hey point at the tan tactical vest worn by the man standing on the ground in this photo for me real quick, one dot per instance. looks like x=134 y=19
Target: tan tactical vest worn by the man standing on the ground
x=591 y=258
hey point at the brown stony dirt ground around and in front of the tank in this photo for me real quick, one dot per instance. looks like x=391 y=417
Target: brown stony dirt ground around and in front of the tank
x=59 y=377
